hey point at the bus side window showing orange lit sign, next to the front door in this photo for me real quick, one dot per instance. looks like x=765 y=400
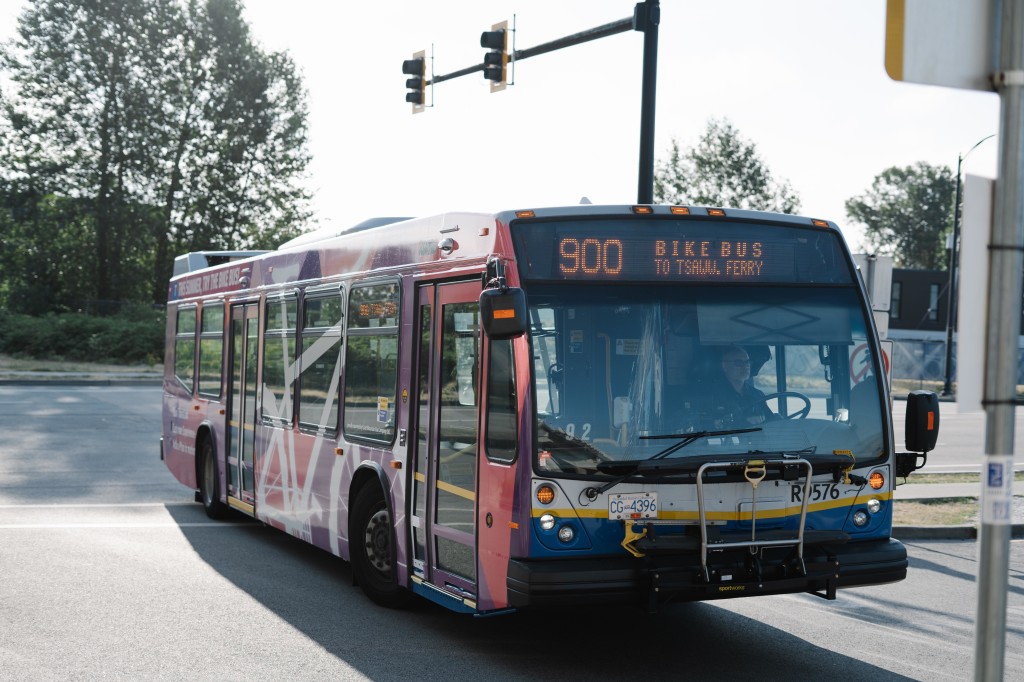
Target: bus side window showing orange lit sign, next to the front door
x=372 y=362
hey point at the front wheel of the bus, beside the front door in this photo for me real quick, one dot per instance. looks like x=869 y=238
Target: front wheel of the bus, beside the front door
x=373 y=549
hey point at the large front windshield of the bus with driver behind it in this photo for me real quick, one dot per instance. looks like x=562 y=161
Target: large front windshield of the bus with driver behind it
x=620 y=370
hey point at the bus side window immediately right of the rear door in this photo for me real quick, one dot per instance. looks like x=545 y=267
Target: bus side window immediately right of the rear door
x=279 y=357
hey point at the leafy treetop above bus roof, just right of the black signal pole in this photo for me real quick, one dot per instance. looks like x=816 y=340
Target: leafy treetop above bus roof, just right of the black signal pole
x=723 y=169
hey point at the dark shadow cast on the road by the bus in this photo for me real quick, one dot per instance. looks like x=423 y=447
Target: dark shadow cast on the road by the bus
x=314 y=593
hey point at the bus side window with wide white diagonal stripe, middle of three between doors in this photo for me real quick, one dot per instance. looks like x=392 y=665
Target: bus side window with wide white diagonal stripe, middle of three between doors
x=321 y=360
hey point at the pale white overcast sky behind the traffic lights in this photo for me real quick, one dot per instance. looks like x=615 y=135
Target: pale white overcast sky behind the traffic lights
x=803 y=80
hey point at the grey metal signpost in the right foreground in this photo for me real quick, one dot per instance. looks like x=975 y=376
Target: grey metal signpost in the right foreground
x=1006 y=264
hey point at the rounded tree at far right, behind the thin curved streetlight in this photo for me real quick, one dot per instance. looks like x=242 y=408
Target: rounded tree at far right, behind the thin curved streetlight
x=908 y=215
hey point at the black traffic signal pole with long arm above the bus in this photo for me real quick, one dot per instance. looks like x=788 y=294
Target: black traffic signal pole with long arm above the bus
x=647 y=17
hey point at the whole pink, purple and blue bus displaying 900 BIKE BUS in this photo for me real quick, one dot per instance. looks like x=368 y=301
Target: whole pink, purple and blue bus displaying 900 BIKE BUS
x=527 y=409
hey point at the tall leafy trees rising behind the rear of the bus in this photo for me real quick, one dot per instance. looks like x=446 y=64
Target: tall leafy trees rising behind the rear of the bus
x=166 y=119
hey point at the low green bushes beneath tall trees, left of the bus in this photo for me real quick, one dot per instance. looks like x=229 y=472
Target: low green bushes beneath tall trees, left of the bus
x=134 y=336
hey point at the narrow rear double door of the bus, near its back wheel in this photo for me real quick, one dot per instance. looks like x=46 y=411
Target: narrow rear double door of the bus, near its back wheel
x=242 y=406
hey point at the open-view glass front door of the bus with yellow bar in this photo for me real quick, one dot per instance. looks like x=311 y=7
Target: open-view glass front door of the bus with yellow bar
x=447 y=400
